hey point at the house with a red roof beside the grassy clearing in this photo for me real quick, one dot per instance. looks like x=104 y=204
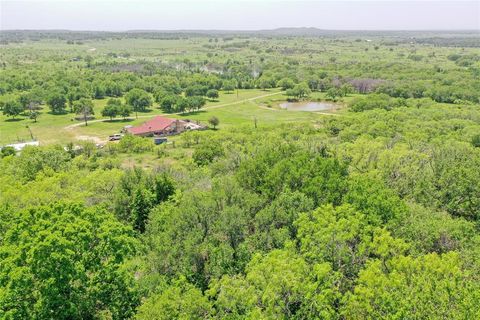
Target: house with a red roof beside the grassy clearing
x=158 y=126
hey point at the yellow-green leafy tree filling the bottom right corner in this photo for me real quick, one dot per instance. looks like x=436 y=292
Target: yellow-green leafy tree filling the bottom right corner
x=427 y=287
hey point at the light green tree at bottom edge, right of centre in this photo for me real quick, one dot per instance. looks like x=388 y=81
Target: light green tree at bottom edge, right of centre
x=278 y=285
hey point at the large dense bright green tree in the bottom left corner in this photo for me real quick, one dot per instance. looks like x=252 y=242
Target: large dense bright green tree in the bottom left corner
x=65 y=261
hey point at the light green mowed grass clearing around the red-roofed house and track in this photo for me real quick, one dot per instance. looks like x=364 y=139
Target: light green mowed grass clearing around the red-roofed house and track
x=230 y=109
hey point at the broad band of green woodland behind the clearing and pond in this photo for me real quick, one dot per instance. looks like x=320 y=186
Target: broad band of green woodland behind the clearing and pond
x=181 y=83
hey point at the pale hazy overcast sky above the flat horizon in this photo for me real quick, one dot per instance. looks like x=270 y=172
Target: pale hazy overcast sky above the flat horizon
x=122 y=15
